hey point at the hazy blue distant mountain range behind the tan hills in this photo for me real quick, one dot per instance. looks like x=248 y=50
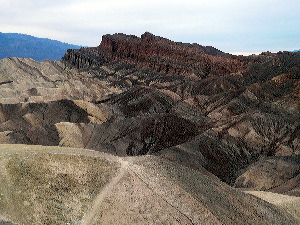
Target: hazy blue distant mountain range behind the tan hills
x=26 y=46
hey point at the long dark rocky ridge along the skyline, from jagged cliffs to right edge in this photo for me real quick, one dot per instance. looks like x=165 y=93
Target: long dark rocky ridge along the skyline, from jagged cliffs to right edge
x=190 y=60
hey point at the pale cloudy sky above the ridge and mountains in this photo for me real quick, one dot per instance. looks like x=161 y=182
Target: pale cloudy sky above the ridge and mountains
x=235 y=26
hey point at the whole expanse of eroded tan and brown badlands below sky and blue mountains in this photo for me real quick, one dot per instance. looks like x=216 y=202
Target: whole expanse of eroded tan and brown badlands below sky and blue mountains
x=144 y=130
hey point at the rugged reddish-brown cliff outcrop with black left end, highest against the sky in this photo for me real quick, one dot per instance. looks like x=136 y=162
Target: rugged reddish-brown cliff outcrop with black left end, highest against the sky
x=158 y=54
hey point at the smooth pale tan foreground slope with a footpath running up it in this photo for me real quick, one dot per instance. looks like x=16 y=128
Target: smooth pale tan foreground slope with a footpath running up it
x=53 y=185
